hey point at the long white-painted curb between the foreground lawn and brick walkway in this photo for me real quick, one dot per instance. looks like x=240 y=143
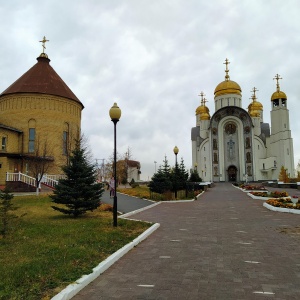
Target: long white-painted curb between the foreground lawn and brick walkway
x=72 y=289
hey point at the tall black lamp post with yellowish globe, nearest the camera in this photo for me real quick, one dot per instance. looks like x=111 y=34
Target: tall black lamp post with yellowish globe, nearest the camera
x=115 y=114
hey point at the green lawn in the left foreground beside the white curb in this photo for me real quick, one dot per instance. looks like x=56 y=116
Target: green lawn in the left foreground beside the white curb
x=46 y=250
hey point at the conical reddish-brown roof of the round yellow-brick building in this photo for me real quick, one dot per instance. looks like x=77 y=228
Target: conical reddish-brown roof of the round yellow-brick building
x=41 y=78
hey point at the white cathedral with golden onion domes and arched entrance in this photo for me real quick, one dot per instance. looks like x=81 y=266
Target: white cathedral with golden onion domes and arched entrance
x=236 y=145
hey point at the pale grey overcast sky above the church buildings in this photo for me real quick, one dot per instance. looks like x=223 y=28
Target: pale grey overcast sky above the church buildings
x=153 y=58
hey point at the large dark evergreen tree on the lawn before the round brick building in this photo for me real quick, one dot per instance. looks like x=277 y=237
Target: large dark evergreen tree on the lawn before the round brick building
x=79 y=191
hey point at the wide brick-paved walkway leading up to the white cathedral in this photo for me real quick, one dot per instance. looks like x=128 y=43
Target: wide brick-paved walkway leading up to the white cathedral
x=223 y=246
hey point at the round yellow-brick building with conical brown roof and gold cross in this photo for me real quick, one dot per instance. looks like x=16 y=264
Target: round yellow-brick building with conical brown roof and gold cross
x=37 y=112
